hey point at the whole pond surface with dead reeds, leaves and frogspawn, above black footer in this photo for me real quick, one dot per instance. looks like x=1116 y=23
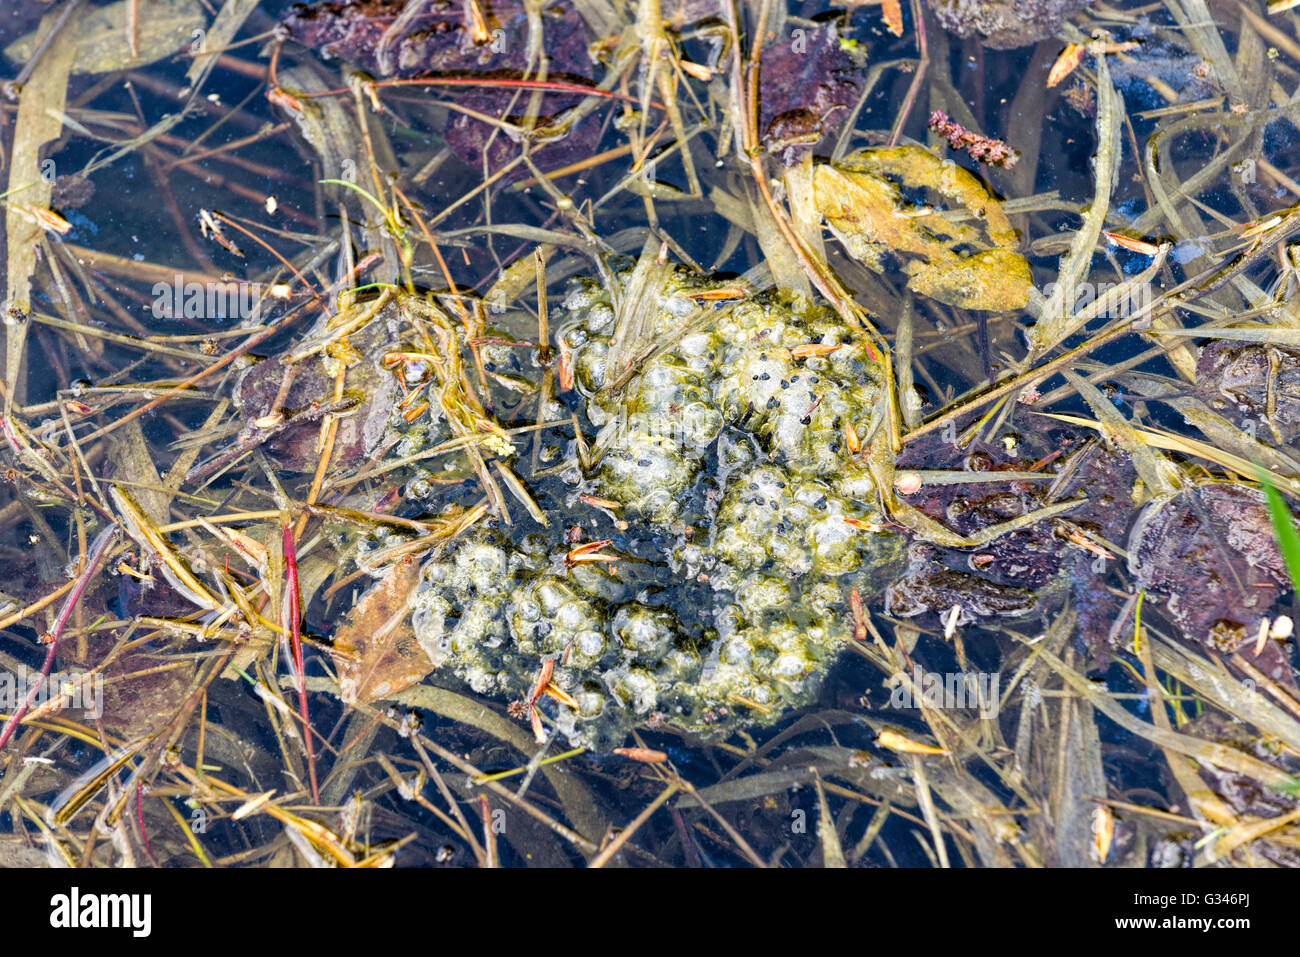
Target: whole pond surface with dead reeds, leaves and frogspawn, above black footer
x=882 y=478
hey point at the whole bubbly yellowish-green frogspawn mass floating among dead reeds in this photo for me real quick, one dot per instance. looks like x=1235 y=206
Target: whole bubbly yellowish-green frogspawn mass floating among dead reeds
x=726 y=453
